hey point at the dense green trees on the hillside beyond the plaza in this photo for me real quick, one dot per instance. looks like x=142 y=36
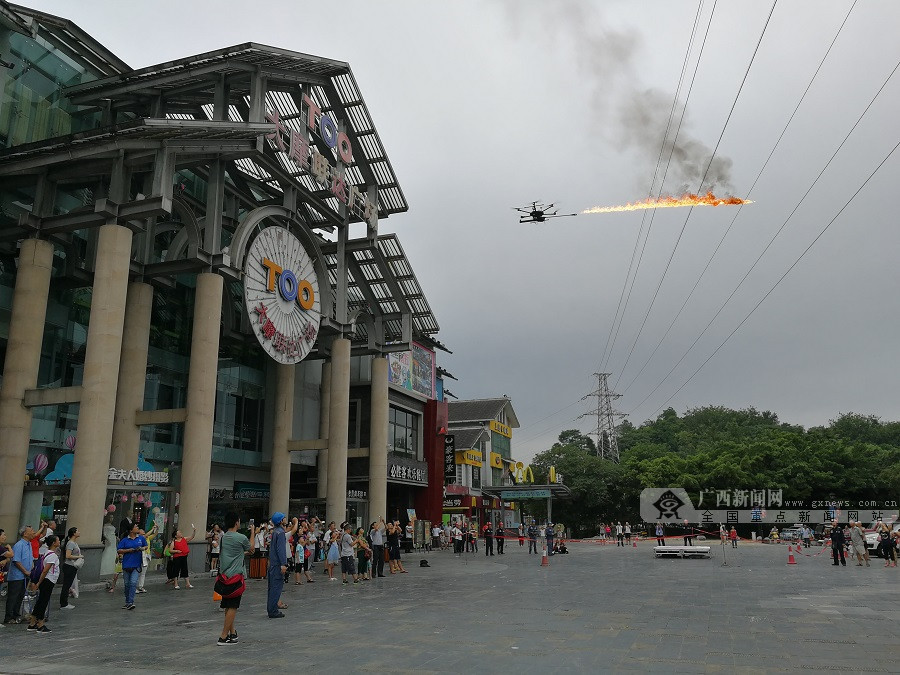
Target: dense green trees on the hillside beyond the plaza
x=856 y=457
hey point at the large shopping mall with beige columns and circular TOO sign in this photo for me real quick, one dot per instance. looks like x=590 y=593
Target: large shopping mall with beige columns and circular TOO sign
x=197 y=310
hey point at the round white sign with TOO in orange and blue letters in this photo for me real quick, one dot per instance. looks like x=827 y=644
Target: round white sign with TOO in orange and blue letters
x=281 y=292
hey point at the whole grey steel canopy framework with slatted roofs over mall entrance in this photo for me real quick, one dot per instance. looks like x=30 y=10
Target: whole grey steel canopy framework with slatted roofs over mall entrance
x=224 y=117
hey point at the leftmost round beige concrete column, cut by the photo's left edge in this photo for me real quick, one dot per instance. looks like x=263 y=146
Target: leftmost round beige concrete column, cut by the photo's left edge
x=20 y=371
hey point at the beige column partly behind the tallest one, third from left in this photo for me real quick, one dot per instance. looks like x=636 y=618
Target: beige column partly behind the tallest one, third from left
x=132 y=376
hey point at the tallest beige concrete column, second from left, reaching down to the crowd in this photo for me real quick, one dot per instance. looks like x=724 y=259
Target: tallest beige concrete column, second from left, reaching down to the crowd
x=87 y=494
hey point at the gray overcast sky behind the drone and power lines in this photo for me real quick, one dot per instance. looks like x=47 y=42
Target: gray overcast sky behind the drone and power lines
x=487 y=105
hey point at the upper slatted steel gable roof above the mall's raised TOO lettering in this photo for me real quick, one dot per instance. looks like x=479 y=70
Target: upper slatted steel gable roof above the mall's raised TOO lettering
x=187 y=87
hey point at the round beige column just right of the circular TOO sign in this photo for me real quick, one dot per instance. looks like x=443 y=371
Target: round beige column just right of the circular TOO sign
x=338 y=418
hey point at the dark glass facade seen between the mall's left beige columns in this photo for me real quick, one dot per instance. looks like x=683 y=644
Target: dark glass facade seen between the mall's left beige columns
x=241 y=383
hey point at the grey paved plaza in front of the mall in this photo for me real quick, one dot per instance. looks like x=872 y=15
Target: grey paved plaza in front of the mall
x=599 y=609
